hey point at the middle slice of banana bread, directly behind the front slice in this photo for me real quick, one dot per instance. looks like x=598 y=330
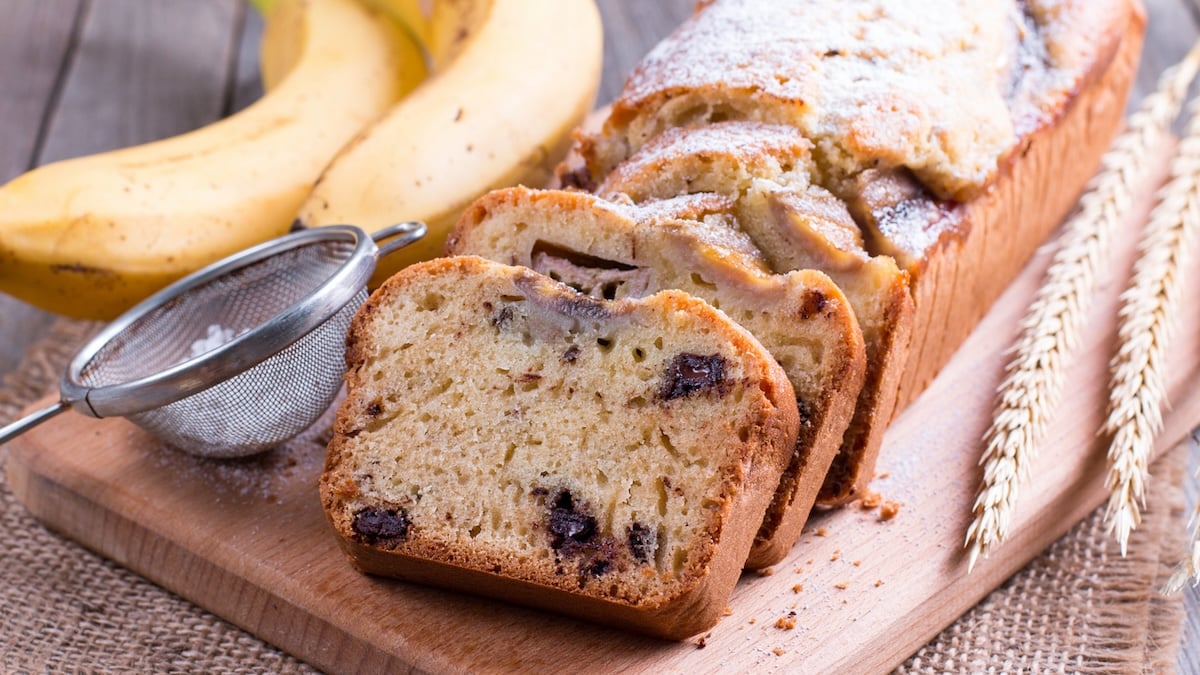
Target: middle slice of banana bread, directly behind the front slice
x=614 y=250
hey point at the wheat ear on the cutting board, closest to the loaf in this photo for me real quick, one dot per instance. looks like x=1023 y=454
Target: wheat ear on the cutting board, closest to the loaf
x=1051 y=331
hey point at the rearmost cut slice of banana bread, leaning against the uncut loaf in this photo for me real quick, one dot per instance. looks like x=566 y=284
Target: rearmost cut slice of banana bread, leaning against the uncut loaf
x=766 y=172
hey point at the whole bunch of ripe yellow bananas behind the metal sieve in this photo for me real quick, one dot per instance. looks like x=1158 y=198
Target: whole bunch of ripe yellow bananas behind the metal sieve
x=351 y=107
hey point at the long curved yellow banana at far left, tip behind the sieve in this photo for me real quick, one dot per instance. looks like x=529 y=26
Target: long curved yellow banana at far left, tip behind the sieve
x=93 y=236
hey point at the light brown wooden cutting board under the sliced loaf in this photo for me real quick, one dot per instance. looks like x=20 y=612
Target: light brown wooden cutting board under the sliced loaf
x=248 y=540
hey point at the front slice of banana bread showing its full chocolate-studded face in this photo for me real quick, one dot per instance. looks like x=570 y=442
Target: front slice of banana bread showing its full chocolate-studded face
x=506 y=435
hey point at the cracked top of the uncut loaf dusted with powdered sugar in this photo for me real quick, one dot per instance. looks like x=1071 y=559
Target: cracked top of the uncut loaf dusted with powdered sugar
x=872 y=83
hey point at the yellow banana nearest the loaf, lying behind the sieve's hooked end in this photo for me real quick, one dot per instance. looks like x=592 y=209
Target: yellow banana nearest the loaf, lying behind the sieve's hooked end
x=512 y=80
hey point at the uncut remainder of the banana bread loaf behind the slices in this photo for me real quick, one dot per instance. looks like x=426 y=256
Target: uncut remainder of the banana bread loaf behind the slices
x=957 y=134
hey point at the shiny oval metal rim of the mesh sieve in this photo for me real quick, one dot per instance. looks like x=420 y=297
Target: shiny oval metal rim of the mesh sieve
x=241 y=354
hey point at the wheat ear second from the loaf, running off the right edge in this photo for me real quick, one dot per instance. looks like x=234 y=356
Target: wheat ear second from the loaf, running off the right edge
x=1149 y=313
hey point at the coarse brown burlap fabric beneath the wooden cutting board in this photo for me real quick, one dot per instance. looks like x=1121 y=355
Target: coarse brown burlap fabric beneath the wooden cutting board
x=1078 y=608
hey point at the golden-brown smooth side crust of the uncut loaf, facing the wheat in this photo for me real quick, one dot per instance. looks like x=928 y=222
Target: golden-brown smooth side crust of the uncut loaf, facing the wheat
x=967 y=270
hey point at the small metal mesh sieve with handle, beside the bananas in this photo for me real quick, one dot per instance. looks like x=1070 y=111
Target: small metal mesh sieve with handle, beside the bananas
x=238 y=357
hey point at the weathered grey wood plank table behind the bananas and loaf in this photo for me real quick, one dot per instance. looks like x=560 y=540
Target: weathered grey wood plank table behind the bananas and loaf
x=83 y=76
